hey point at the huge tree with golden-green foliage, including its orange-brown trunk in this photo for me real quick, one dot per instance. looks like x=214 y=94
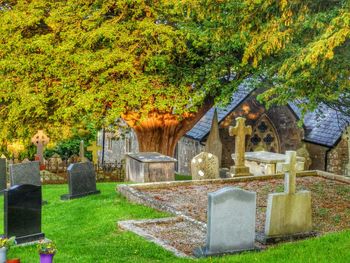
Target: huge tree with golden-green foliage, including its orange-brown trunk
x=160 y=64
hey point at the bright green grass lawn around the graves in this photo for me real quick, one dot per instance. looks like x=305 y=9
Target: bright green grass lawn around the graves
x=85 y=230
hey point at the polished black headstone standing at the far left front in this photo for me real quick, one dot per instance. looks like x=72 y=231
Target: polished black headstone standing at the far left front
x=23 y=213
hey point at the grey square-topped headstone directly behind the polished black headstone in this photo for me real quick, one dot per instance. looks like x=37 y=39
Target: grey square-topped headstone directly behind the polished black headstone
x=25 y=173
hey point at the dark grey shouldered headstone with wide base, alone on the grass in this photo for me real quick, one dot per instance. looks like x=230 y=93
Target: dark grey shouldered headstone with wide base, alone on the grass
x=81 y=181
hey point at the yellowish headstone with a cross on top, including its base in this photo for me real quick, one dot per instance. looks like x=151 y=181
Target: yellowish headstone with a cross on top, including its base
x=288 y=214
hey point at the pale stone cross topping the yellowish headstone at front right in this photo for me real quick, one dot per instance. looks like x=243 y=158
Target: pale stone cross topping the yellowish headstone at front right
x=289 y=167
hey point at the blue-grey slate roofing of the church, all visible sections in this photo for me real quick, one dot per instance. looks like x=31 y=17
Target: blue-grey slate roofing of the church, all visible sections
x=323 y=126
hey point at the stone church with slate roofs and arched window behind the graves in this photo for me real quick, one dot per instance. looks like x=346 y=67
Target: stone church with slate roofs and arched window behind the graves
x=321 y=139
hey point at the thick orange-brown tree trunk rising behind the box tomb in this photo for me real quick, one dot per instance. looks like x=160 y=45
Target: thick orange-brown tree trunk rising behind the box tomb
x=161 y=131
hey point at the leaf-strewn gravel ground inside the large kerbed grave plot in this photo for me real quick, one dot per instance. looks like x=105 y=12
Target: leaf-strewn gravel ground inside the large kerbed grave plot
x=330 y=200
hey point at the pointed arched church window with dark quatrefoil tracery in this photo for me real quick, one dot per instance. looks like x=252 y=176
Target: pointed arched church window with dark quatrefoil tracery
x=264 y=136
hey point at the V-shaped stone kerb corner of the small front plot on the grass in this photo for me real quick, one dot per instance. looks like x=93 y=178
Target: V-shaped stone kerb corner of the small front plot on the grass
x=131 y=225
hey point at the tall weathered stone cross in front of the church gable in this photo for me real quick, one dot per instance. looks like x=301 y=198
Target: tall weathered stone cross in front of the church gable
x=240 y=131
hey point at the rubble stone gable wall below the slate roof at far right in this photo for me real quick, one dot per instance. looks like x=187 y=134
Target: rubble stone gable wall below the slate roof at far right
x=337 y=158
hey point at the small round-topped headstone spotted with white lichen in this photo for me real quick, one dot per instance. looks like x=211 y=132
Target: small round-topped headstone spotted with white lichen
x=205 y=166
